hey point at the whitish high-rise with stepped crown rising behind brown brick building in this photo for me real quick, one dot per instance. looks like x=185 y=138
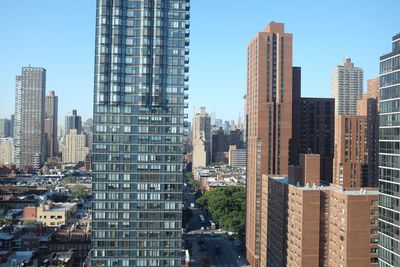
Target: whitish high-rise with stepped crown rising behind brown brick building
x=347 y=86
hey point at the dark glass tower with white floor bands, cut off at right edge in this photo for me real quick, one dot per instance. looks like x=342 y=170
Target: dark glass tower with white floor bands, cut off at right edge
x=389 y=157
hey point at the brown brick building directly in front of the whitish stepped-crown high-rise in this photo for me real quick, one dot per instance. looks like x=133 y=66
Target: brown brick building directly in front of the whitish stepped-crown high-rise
x=350 y=163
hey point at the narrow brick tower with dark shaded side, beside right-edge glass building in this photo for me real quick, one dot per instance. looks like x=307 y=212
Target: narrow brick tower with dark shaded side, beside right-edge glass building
x=368 y=106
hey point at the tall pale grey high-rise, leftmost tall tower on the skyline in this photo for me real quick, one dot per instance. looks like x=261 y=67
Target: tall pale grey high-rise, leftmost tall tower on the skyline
x=29 y=138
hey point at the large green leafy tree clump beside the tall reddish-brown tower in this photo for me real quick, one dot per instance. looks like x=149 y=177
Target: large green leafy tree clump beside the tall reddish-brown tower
x=226 y=205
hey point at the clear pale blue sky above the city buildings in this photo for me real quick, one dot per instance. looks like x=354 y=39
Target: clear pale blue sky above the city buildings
x=59 y=35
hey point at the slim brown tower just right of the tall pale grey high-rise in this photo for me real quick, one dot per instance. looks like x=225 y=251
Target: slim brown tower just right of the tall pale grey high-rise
x=51 y=119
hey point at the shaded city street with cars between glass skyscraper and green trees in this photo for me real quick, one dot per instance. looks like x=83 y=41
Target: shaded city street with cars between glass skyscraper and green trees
x=209 y=247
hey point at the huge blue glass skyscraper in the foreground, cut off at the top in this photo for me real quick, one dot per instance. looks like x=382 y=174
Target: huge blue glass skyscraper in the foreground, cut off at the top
x=140 y=78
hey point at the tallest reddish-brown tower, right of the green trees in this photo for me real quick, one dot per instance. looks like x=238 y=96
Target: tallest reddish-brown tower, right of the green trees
x=269 y=127
